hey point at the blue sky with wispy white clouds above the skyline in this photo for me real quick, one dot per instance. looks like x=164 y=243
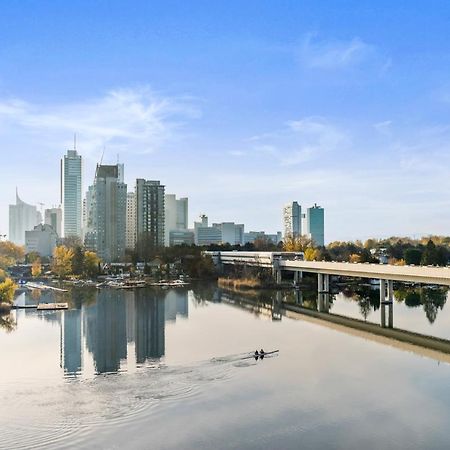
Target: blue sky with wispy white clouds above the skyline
x=242 y=106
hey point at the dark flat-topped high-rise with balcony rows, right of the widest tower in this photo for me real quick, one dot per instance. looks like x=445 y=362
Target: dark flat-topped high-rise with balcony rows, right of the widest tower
x=150 y=220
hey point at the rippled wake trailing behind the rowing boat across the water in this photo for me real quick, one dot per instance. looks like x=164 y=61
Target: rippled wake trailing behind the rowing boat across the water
x=52 y=416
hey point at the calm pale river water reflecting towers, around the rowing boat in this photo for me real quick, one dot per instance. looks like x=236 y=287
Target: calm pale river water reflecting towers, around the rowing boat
x=168 y=369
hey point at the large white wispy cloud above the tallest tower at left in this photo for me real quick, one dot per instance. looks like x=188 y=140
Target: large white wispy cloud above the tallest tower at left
x=125 y=120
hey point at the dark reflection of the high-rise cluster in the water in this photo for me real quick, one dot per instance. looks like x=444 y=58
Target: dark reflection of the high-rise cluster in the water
x=118 y=319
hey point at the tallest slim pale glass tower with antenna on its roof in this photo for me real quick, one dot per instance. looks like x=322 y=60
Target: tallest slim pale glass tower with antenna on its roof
x=71 y=166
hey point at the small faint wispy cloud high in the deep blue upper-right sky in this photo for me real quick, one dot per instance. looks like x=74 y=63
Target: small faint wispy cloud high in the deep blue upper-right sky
x=319 y=54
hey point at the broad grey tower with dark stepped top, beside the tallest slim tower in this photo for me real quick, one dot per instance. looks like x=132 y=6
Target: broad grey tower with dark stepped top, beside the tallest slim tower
x=106 y=208
